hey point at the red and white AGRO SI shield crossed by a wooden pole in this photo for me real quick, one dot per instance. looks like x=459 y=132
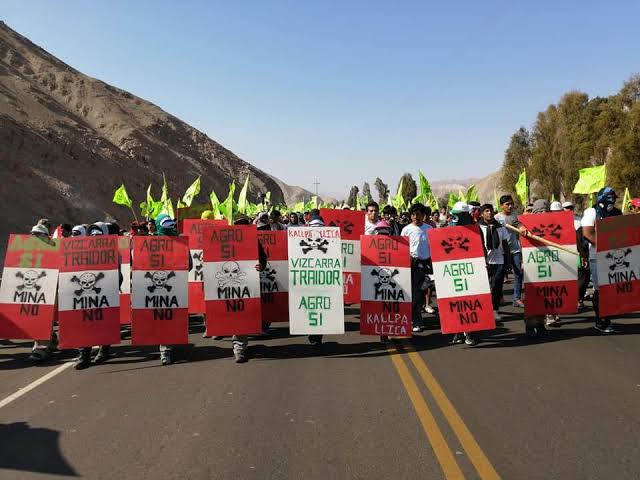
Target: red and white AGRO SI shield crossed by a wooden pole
x=550 y=274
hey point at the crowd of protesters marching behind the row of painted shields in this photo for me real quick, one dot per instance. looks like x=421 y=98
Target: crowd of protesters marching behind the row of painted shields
x=501 y=245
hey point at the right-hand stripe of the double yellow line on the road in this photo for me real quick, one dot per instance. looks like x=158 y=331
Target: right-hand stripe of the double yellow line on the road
x=474 y=452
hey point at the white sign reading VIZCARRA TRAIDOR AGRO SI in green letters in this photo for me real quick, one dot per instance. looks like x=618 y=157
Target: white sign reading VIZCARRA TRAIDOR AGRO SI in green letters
x=315 y=281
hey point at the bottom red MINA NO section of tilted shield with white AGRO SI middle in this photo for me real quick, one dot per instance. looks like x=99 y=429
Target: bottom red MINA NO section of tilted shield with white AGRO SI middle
x=466 y=314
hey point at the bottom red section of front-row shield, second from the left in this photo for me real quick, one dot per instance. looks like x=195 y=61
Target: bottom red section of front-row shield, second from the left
x=86 y=328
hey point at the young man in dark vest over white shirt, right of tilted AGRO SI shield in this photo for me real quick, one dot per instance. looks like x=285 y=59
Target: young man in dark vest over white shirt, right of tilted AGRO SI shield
x=494 y=240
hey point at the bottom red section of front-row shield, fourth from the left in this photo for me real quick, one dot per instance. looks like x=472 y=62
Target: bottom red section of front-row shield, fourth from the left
x=236 y=316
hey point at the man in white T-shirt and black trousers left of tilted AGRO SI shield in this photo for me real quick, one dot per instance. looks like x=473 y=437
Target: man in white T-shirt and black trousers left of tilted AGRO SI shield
x=421 y=267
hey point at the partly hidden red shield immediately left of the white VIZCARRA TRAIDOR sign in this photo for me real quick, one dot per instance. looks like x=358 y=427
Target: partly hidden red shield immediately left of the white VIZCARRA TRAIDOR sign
x=274 y=280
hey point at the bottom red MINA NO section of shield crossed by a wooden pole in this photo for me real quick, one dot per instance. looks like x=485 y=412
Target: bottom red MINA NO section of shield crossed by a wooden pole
x=550 y=298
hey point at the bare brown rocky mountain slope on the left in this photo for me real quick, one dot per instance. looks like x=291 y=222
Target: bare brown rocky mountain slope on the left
x=67 y=141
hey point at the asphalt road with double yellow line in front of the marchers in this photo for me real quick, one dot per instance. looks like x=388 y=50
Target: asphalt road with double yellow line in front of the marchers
x=562 y=408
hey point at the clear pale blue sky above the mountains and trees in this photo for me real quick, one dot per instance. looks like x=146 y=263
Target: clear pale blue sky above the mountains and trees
x=347 y=90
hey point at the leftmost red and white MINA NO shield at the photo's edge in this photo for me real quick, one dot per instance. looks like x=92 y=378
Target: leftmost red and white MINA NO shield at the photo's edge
x=28 y=289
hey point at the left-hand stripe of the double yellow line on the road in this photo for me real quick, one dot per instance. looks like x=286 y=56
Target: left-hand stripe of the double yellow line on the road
x=443 y=453
